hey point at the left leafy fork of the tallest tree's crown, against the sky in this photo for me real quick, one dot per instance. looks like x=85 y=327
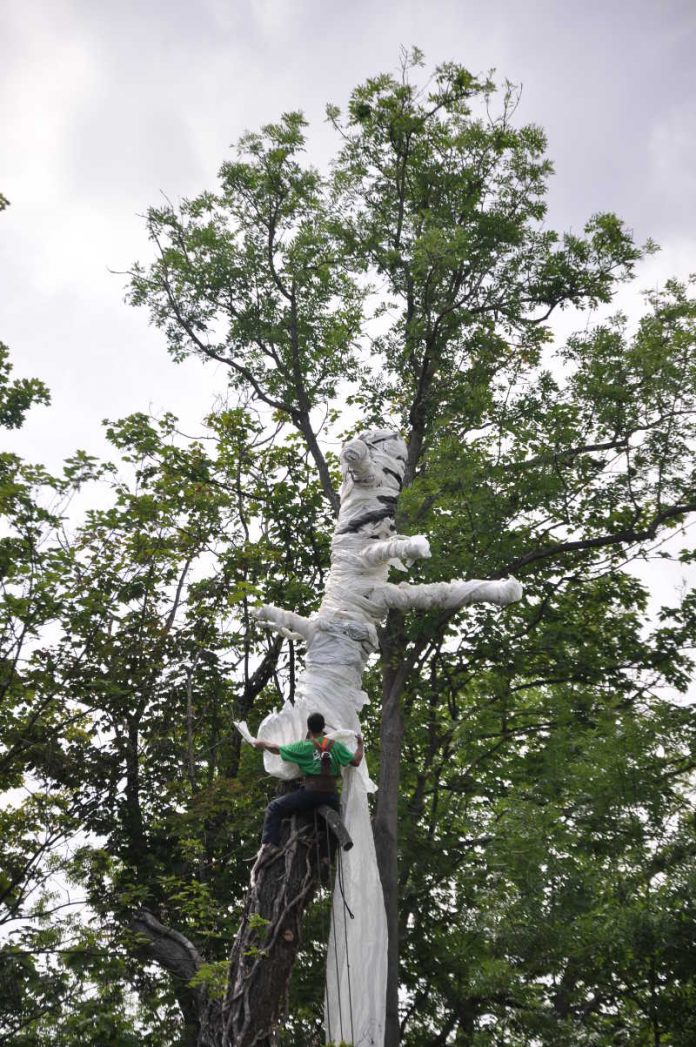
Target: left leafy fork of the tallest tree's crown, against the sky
x=261 y=264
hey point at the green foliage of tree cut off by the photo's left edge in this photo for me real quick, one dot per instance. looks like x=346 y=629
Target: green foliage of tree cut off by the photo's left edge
x=38 y=817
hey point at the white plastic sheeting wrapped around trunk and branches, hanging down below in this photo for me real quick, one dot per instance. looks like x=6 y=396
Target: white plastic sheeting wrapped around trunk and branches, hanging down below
x=340 y=639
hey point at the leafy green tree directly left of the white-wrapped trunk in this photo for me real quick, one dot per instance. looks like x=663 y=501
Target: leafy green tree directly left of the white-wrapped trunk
x=153 y=662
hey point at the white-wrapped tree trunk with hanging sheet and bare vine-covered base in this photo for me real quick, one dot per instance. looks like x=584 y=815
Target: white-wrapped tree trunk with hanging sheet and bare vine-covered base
x=340 y=639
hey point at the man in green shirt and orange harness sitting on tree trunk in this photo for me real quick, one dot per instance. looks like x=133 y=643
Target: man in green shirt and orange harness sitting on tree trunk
x=320 y=760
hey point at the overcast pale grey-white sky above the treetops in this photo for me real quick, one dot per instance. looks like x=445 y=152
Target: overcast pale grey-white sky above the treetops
x=103 y=106
